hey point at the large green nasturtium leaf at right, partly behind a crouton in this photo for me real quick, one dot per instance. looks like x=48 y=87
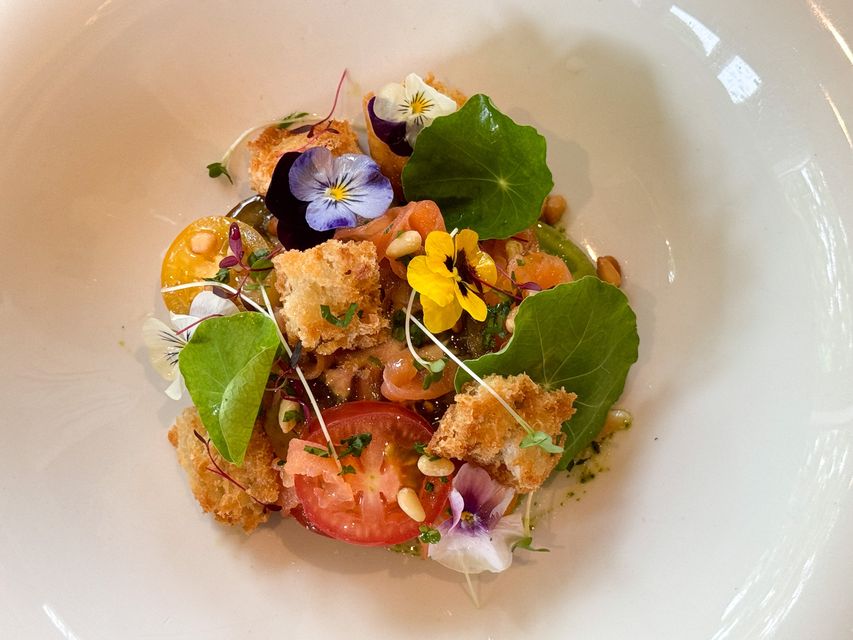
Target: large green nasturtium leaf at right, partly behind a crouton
x=581 y=336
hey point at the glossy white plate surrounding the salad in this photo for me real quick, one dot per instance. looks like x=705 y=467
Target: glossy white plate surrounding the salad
x=706 y=144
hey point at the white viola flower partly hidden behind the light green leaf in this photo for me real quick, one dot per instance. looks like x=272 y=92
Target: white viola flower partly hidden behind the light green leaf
x=165 y=343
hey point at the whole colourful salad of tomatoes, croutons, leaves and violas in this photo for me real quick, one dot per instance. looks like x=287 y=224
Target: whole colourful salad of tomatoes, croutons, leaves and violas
x=396 y=348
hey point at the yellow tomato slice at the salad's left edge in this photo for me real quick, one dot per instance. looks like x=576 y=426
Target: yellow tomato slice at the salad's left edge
x=195 y=254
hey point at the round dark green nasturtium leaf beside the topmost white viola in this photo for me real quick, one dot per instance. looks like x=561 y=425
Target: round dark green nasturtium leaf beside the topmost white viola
x=484 y=171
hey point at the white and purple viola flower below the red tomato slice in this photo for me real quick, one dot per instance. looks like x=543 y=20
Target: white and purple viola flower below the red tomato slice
x=478 y=537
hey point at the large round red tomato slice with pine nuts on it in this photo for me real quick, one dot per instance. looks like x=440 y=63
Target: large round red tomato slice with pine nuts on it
x=361 y=508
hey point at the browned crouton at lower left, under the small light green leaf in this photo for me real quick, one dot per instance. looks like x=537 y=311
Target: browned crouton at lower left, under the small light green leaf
x=226 y=501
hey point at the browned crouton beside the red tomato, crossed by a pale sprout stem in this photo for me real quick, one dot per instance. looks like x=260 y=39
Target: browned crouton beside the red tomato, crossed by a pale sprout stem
x=476 y=428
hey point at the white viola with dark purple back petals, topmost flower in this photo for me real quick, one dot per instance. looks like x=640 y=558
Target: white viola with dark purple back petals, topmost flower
x=414 y=104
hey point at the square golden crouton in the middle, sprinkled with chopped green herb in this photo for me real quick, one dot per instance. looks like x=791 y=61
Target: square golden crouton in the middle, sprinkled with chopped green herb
x=327 y=280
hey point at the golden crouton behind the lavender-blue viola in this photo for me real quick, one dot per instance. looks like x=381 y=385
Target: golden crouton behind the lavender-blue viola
x=266 y=150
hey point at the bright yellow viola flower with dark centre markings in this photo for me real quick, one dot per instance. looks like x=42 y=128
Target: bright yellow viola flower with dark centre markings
x=451 y=277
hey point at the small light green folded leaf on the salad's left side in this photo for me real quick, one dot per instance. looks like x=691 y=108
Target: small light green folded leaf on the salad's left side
x=226 y=365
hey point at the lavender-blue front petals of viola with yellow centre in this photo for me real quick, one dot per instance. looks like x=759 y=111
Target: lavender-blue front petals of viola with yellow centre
x=339 y=189
